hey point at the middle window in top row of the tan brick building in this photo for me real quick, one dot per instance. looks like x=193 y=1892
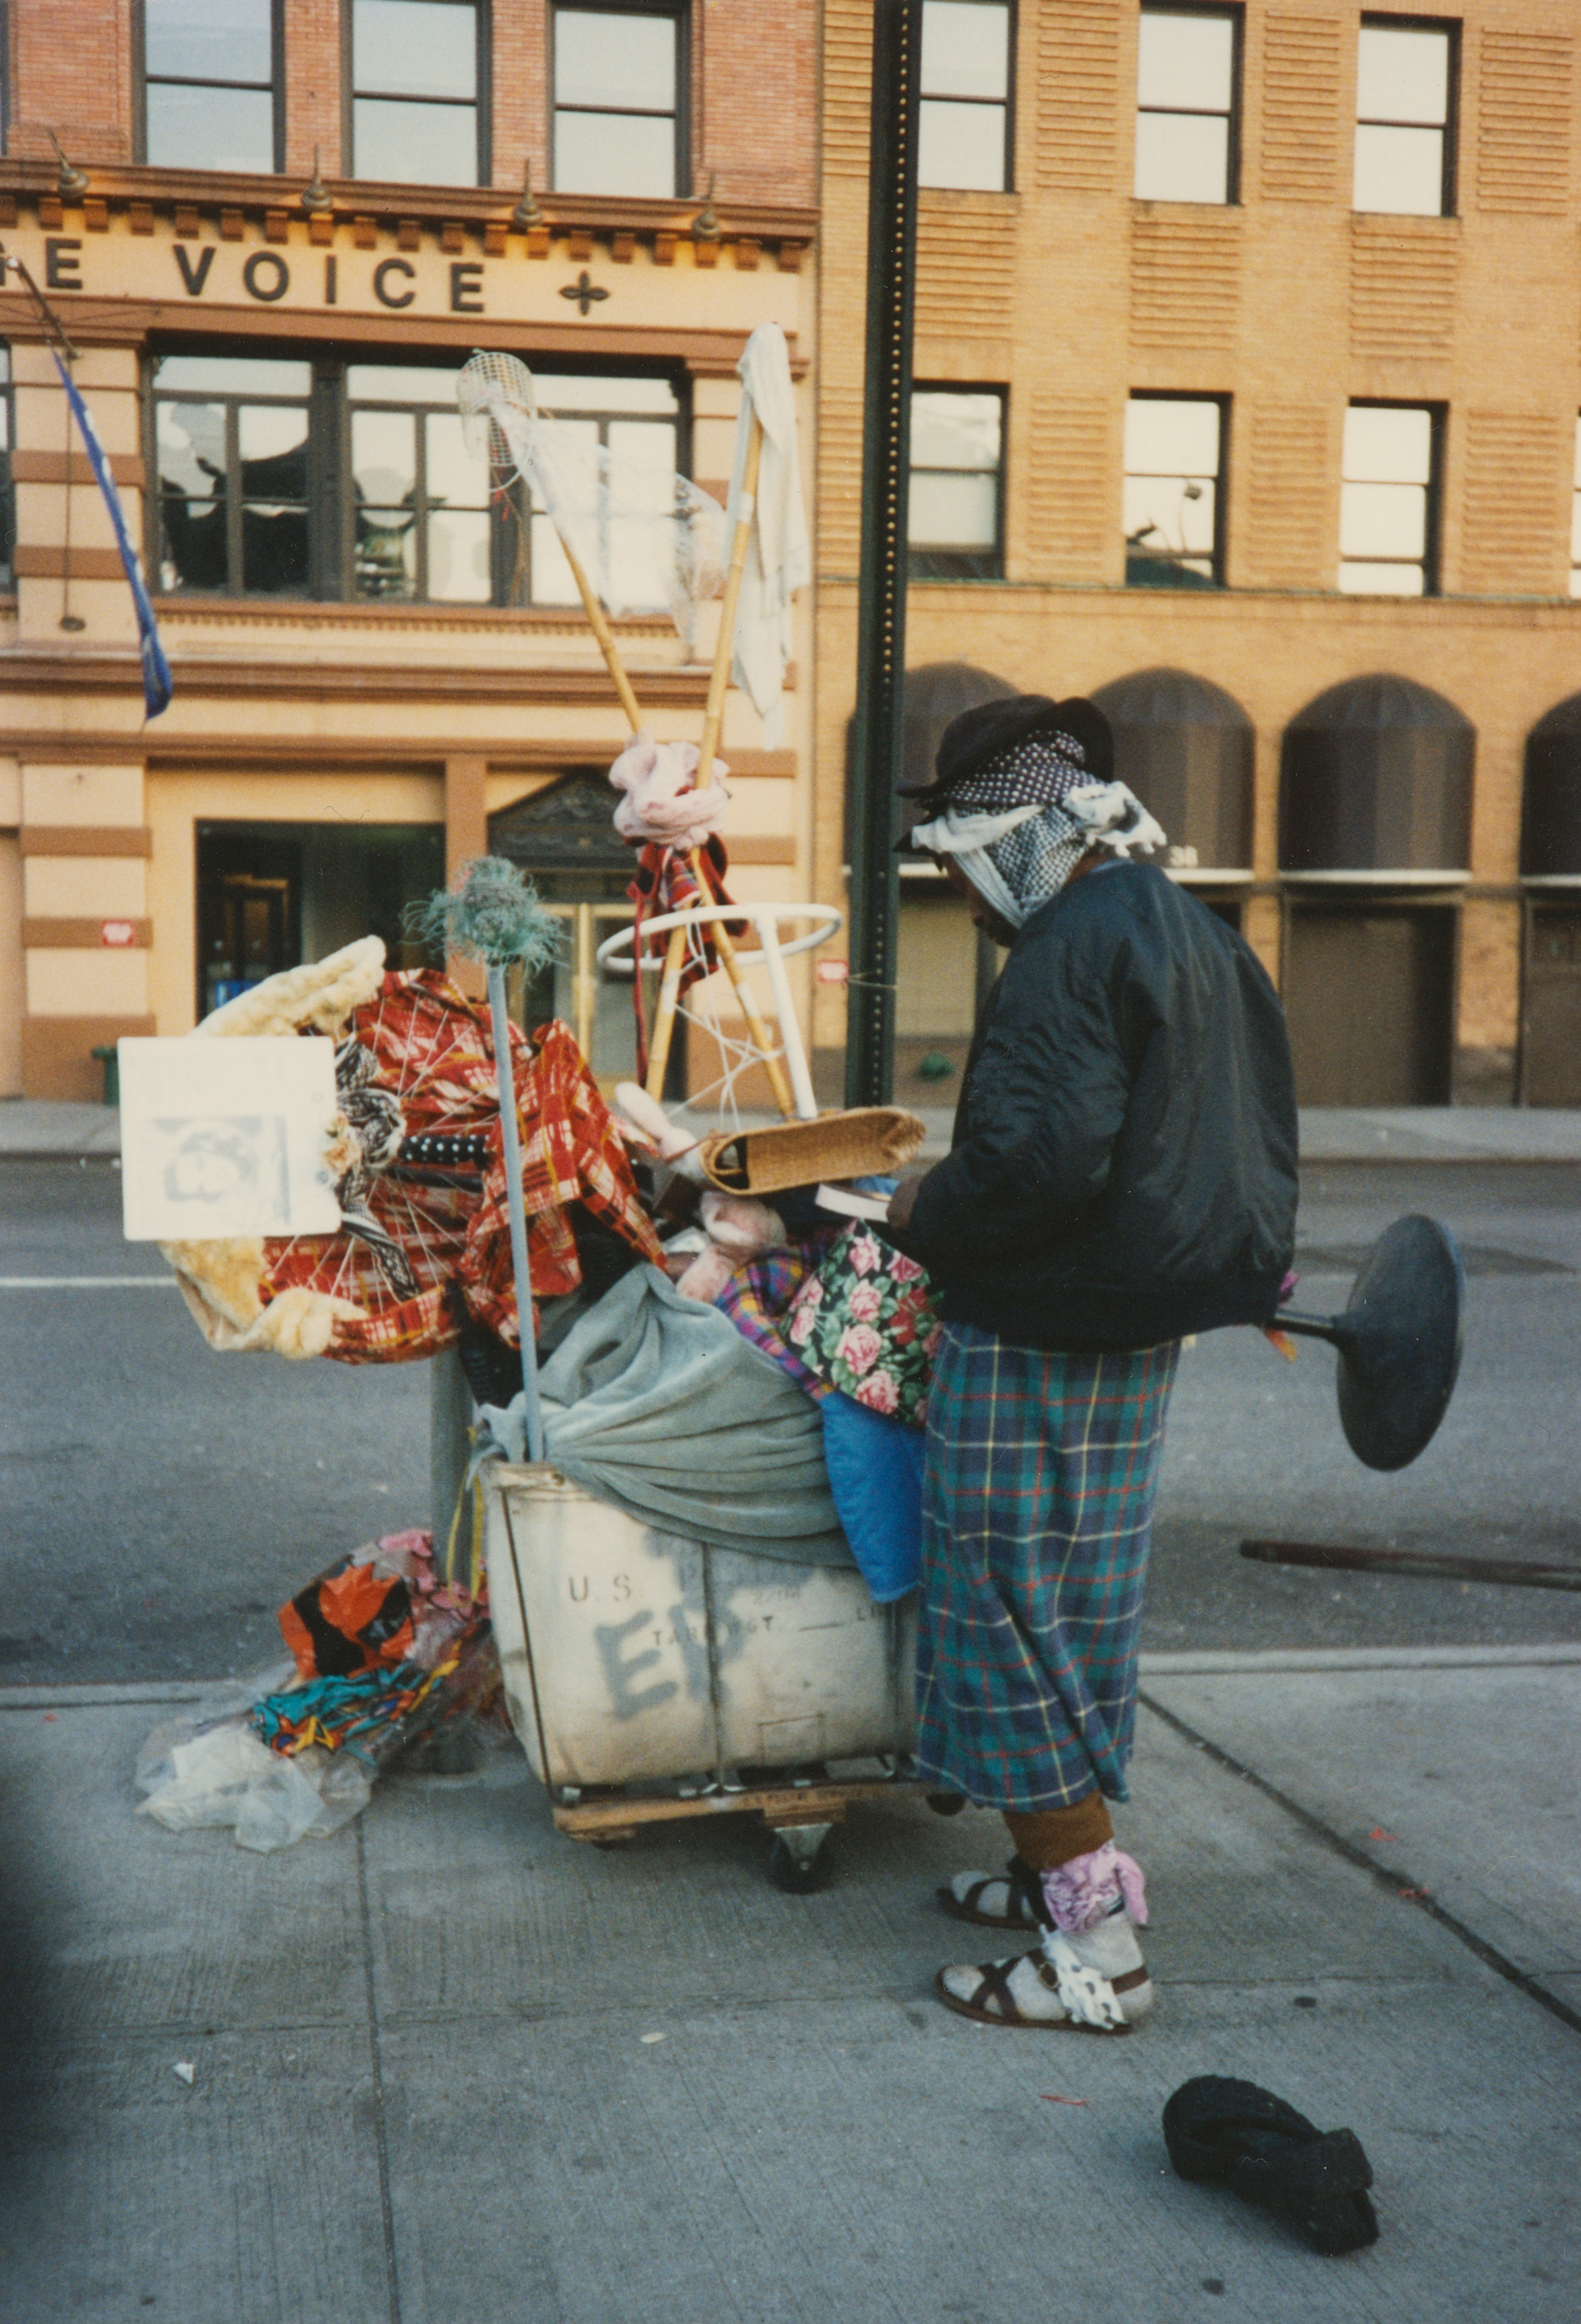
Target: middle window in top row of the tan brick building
x=1187 y=106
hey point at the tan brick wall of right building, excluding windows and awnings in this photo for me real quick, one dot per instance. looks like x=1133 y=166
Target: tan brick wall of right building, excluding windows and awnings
x=1289 y=306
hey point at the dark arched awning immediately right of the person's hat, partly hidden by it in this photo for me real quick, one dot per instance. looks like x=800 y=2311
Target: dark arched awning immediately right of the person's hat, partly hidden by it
x=1185 y=747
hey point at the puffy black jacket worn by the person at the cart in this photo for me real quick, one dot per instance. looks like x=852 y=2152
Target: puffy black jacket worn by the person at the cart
x=1124 y=1161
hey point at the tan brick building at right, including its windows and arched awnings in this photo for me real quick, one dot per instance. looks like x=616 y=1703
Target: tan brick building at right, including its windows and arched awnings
x=1257 y=320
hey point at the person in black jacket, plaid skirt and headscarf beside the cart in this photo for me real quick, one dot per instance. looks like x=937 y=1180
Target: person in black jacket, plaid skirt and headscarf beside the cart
x=1122 y=1175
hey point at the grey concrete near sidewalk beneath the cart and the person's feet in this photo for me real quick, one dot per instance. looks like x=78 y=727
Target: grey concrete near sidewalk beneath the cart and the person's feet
x=459 y=2070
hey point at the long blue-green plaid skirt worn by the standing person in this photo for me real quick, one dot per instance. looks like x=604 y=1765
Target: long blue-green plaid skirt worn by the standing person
x=1038 y=1505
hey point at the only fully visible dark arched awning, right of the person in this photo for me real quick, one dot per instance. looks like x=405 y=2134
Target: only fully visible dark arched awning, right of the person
x=1378 y=782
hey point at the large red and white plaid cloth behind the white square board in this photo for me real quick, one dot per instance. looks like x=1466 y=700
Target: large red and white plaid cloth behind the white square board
x=434 y=1054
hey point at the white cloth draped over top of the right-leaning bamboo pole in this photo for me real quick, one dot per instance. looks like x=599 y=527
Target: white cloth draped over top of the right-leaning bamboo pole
x=780 y=550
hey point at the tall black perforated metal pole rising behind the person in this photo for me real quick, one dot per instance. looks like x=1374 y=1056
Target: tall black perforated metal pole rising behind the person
x=882 y=603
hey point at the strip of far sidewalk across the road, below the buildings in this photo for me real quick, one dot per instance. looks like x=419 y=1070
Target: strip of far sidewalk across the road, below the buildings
x=31 y=1131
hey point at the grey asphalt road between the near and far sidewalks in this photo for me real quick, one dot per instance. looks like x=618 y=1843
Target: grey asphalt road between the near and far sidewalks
x=159 y=1502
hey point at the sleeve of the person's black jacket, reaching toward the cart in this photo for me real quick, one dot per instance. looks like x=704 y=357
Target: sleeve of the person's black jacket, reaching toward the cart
x=1045 y=1105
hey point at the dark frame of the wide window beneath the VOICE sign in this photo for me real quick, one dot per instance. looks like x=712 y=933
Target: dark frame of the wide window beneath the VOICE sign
x=331 y=508
